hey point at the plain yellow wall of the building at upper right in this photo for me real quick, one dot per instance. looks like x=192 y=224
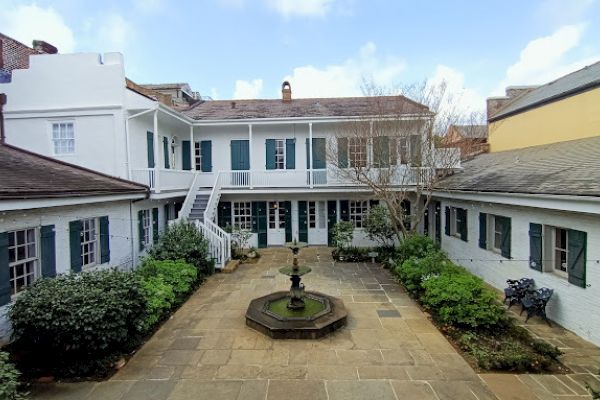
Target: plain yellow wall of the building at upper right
x=575 y=117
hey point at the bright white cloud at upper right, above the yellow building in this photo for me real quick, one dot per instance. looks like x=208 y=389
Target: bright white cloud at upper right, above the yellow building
x=544 y=59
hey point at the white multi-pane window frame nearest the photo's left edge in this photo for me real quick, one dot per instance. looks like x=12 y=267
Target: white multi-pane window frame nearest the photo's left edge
x=31 y=257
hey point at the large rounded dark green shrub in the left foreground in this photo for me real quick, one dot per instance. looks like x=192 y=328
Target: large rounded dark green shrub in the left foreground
x=75 y=324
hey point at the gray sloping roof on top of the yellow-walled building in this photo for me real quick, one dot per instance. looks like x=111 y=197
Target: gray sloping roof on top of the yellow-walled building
x=575 y=82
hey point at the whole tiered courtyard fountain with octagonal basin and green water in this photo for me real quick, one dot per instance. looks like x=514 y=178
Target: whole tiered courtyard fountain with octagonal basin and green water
x=296 y=314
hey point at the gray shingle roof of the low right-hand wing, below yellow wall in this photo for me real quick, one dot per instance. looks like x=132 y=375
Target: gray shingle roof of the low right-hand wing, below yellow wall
x=566 y=168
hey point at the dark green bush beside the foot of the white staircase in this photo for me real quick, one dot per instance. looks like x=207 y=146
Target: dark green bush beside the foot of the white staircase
x=182 y=240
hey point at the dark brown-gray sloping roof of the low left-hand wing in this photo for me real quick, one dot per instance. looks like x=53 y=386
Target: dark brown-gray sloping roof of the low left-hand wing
x=26 y=175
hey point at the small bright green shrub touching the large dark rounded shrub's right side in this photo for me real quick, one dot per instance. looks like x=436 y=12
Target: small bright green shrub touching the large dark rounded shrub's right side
x=160 y=298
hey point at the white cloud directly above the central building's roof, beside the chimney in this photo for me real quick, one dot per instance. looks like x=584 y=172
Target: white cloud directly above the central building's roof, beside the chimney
x=346 y=79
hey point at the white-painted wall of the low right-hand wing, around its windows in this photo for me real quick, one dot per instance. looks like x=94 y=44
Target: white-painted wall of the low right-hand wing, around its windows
x=571 y=306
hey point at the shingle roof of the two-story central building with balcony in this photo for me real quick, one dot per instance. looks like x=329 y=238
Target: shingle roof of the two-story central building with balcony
x=307 y=108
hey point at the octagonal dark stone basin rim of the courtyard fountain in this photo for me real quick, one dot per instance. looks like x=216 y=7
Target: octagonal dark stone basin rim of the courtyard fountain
x=328 y=318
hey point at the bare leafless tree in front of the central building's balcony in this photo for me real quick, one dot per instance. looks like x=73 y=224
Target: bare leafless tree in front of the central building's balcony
x=392 y=151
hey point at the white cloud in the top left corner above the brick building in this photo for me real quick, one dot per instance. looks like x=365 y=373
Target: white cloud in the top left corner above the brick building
x=28 y=22
